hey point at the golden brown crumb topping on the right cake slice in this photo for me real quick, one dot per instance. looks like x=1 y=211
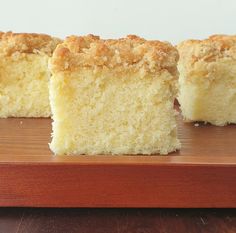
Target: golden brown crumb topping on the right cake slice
x=208 y=50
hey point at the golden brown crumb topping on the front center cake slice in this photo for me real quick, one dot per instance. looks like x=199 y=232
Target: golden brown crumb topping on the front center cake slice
x=130 y=52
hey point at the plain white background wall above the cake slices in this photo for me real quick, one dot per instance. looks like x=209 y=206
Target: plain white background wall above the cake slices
x=161 y=19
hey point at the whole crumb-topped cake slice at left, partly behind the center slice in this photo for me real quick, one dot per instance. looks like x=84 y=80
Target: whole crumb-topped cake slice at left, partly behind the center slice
x=24 y=74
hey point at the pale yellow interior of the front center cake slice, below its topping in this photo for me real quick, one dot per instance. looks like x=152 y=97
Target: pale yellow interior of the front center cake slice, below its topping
x=110 y=113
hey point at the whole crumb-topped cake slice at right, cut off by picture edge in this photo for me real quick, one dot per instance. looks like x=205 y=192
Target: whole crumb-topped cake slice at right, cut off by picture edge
x=208 y=79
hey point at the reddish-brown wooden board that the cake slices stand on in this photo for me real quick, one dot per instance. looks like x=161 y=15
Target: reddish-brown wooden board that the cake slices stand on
x=202 y=174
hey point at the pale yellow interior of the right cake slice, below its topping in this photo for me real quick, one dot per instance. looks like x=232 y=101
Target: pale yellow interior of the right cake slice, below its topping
x=208 y=92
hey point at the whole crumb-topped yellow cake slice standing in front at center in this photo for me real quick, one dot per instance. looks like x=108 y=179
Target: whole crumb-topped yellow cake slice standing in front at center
x=113 y=96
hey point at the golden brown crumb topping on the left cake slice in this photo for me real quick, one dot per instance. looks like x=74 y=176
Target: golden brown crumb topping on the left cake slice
x=27 y=43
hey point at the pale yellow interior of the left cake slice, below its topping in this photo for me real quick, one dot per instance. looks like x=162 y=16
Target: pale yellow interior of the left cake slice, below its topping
x=24 y=80
